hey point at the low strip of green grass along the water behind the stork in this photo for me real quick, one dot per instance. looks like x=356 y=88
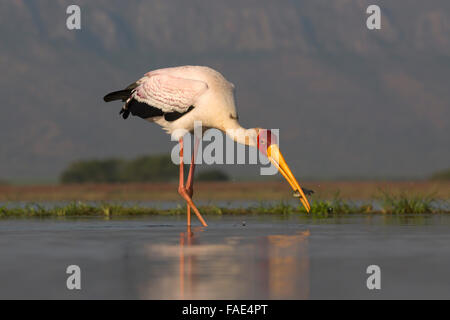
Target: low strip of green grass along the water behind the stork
x=387 y=204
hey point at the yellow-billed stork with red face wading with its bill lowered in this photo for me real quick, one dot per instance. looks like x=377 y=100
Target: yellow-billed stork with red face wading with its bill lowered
x=176 y=98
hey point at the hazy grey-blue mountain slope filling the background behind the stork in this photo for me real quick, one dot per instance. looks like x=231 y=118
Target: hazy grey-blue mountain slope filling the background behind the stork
x=350 y=102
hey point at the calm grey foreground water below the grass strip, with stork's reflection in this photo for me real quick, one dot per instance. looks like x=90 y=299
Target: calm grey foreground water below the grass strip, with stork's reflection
x=243 y=257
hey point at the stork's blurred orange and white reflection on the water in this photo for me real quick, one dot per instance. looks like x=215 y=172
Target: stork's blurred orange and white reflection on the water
x=270 y=267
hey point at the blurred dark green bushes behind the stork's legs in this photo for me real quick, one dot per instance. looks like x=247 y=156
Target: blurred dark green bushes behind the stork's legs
x=142 y=169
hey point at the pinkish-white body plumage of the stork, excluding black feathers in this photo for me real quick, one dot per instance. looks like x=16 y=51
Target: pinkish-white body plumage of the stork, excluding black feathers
x=177 y=89
